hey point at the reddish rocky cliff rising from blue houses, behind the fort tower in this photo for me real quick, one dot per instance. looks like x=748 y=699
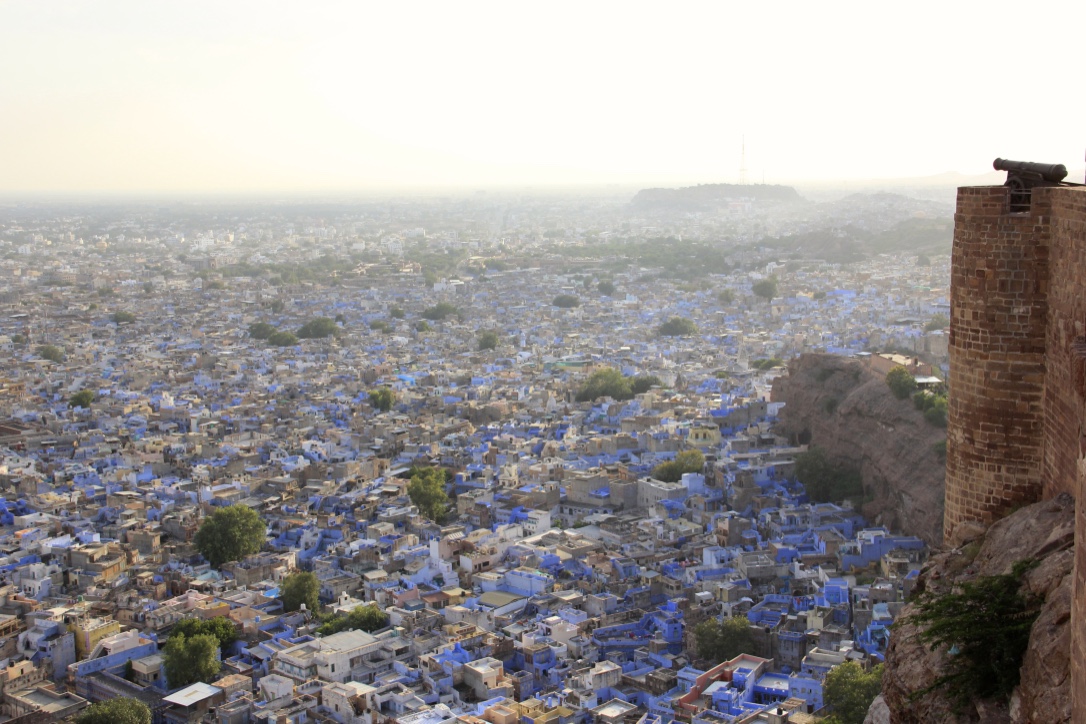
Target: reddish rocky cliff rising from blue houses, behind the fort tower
x=844 y=408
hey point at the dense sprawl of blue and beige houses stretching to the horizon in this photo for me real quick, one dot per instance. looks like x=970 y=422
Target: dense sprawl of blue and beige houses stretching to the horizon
x=435 y=461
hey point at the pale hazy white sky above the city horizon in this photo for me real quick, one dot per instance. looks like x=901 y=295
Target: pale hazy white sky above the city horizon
x=250 y=97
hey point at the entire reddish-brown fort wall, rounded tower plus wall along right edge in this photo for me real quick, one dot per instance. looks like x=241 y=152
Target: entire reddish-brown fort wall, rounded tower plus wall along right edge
x=1017 y=422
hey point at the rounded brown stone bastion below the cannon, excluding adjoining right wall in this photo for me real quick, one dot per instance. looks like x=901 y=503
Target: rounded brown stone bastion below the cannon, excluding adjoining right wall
x=999 y=316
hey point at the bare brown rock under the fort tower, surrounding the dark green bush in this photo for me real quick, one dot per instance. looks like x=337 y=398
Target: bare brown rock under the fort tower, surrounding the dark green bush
x=1045 y=532
